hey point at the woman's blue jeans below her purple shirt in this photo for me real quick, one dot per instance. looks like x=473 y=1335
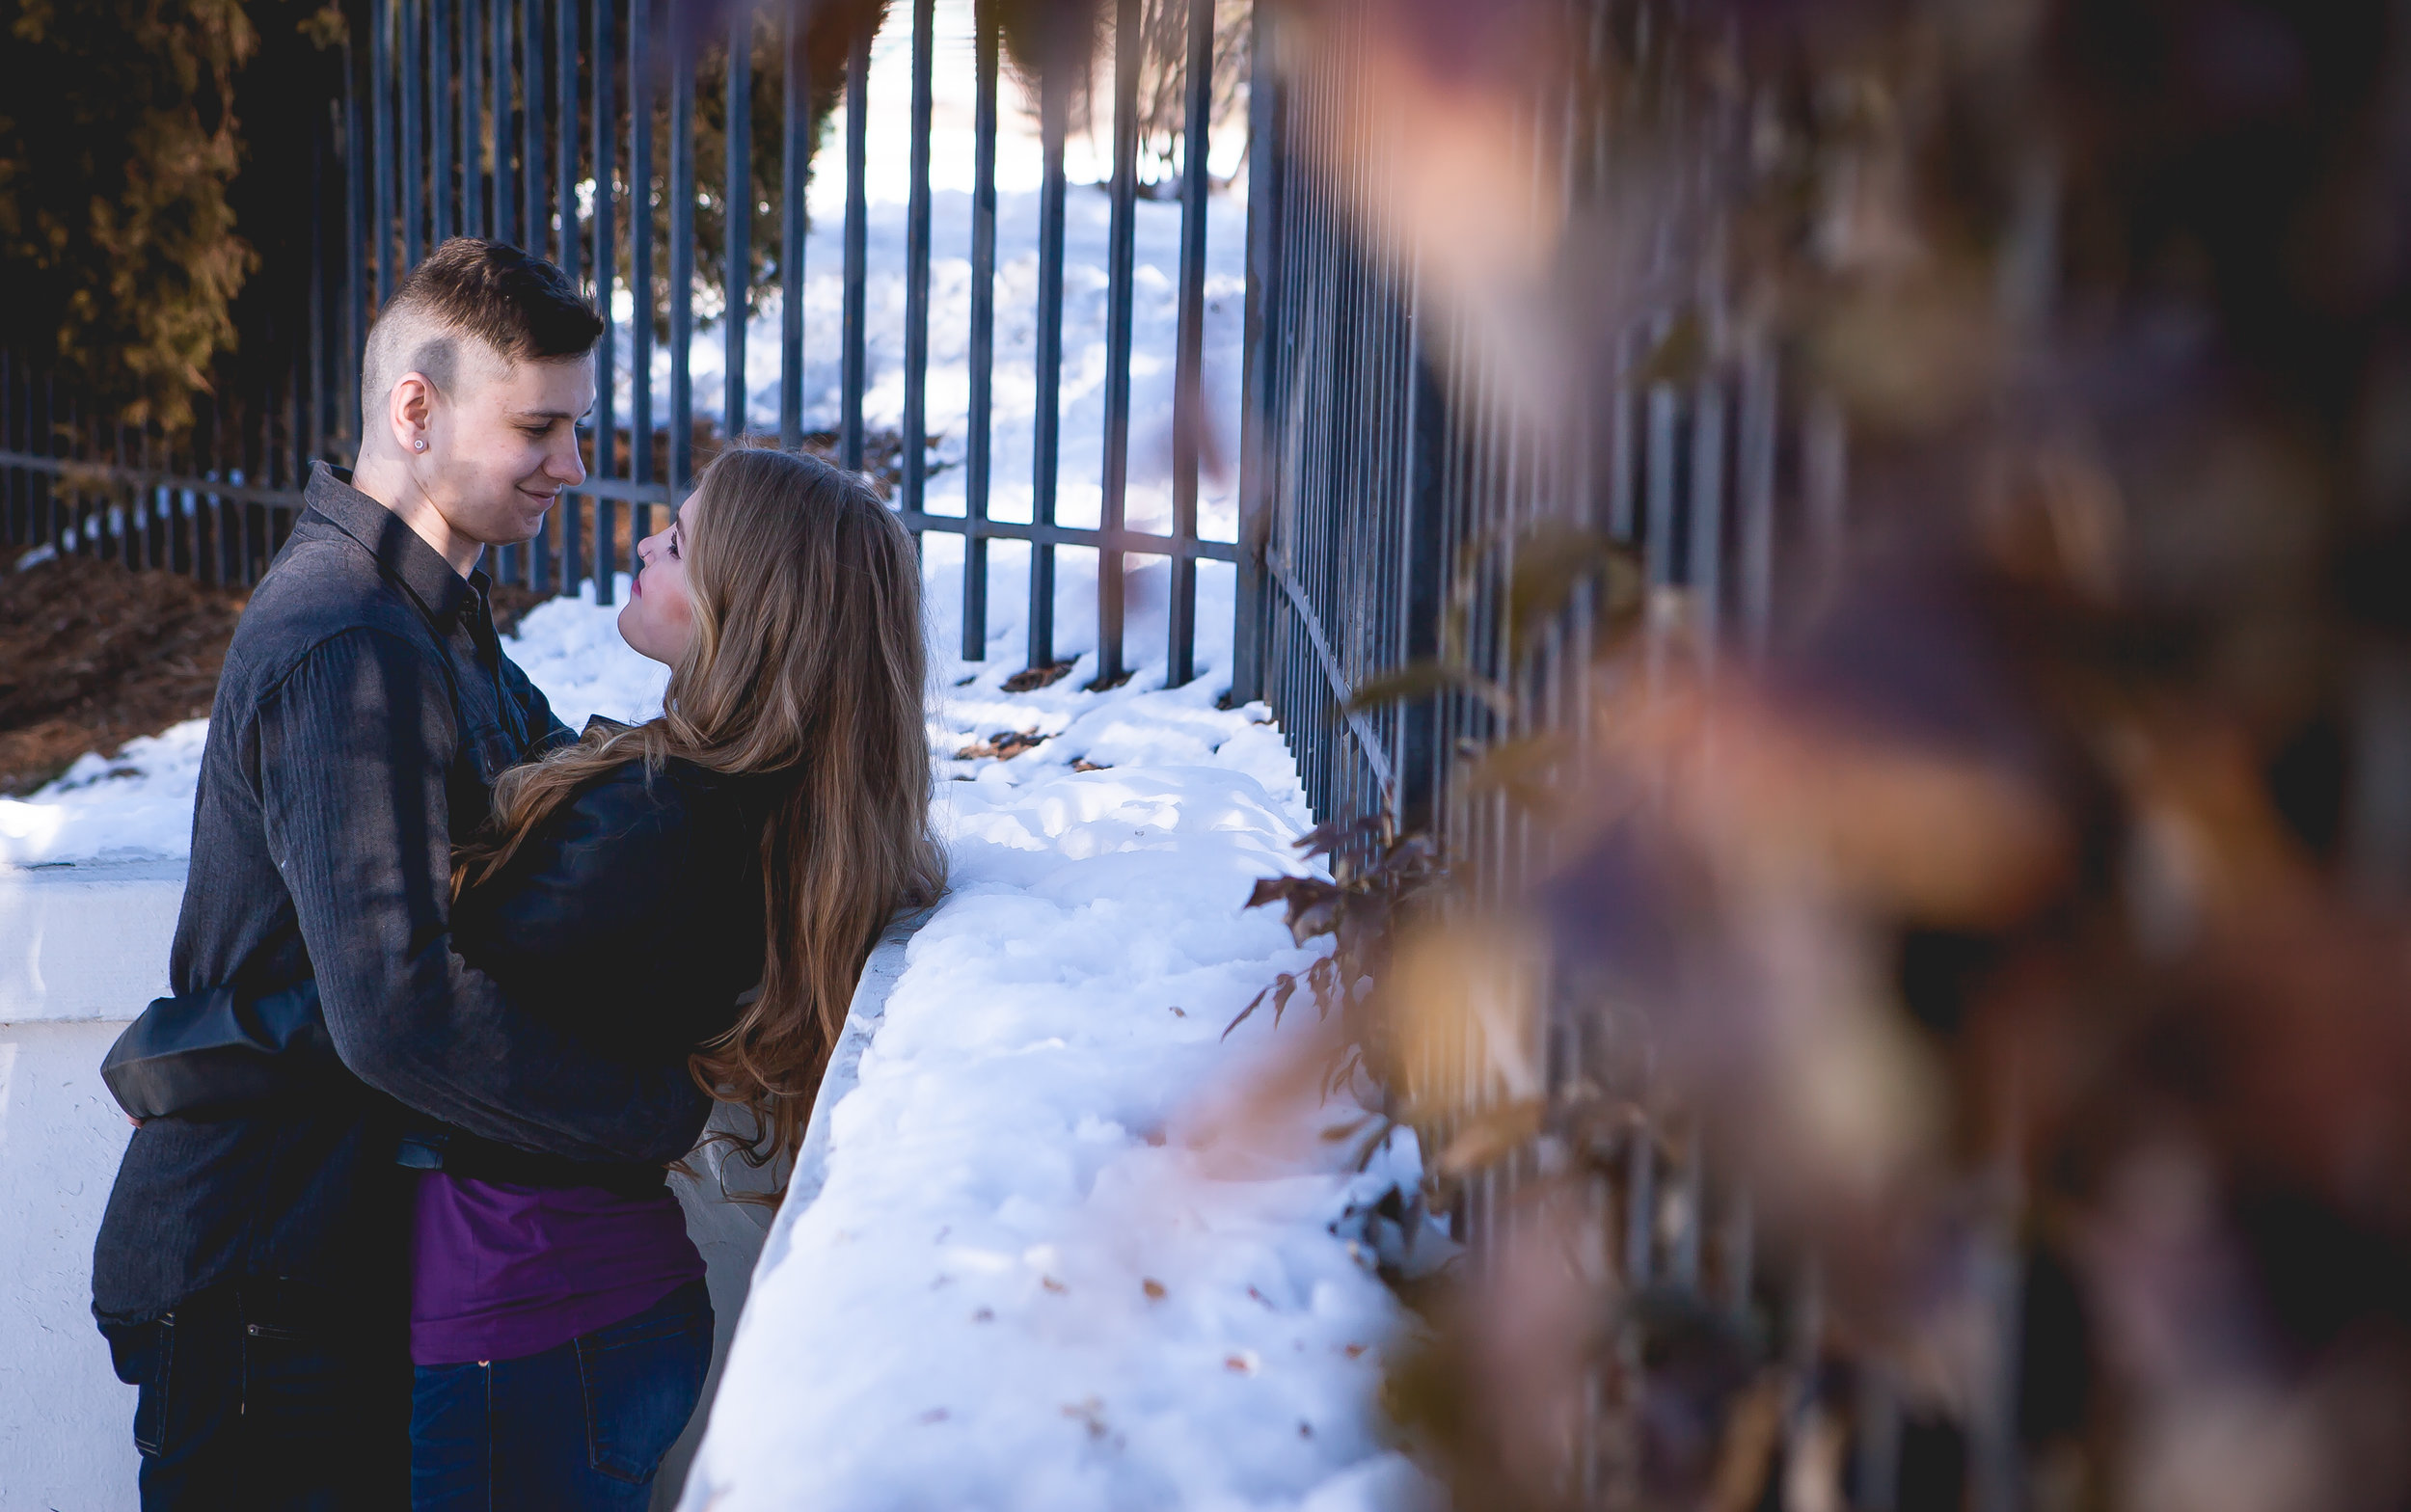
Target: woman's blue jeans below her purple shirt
x=580 y=1426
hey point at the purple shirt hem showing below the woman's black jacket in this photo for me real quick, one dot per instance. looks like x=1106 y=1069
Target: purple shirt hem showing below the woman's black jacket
x=500 y=1272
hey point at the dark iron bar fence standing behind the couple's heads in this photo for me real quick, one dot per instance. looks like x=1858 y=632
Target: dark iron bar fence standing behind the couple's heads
x=541 y=122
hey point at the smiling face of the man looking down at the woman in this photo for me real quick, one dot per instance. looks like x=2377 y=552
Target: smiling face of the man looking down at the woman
x=505 y=445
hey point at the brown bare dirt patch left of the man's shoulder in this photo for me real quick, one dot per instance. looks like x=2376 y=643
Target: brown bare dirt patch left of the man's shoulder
x=95 y=655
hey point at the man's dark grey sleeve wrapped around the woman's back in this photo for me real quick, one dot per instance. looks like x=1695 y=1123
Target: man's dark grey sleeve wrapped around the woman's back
x=353 y=795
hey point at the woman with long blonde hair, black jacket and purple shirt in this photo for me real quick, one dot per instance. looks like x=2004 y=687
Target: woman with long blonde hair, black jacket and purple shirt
x=756 y=836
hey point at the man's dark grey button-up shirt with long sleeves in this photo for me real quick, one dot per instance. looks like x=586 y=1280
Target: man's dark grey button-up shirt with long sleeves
x=360 y=722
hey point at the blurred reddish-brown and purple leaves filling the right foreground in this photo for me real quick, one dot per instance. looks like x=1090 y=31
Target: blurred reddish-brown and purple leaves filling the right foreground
x=2024 y=930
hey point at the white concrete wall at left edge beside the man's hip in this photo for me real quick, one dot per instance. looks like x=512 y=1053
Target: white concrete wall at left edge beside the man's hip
x=83 y=949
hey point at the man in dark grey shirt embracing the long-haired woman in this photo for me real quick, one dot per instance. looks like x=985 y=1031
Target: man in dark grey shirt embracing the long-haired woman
x=247 y=1272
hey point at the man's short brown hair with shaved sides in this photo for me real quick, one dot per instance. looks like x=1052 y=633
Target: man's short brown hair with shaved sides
x=515 y=305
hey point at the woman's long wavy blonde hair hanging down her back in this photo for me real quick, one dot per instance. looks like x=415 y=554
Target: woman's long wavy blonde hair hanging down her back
x=806 y=662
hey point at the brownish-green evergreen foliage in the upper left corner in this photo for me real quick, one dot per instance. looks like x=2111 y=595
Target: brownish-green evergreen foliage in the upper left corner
x=146 y=172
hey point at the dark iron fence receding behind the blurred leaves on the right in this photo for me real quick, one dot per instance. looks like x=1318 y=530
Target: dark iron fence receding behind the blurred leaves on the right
x=1433 y=563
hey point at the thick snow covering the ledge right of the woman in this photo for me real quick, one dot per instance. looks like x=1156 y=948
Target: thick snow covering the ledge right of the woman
x=1079 y=1301
